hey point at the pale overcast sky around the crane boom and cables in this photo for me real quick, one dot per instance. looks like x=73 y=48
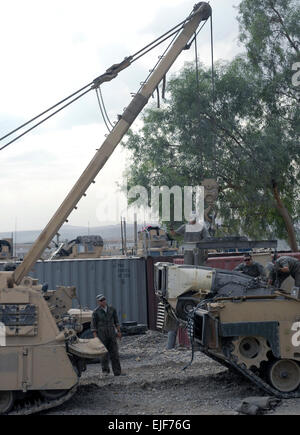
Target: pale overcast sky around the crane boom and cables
x=51 y=49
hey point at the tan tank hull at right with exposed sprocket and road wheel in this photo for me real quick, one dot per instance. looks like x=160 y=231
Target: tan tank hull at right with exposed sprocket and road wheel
x=259 y=338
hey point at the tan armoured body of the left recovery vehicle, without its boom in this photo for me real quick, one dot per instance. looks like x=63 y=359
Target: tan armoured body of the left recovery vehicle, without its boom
x=40 y=363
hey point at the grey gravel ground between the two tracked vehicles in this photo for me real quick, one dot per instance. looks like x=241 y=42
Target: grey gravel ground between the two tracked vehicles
x=156 y=384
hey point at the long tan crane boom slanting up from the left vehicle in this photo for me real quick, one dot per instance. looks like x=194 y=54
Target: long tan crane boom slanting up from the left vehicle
x=201 y=12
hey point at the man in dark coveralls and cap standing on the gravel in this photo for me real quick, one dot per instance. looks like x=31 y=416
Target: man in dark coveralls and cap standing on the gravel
x=104 y=325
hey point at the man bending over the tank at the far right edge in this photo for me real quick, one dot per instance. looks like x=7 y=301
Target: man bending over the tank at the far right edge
x=282 y=268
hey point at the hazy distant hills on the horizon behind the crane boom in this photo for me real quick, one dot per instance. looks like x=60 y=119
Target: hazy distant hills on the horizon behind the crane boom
x=108 y=232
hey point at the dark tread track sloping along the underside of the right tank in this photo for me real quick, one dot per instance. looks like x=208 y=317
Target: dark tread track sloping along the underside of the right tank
x=258 y=381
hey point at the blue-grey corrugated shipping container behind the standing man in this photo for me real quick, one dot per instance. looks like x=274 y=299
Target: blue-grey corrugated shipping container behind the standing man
x=122 y=280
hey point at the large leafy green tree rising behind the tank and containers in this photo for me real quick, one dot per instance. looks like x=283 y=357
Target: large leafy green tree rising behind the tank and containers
x=245 y=134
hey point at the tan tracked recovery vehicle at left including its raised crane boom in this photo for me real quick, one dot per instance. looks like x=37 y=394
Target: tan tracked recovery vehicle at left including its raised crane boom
x=40 y=354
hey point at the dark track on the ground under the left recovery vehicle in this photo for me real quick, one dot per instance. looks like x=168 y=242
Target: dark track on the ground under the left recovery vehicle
x=40 y=404
